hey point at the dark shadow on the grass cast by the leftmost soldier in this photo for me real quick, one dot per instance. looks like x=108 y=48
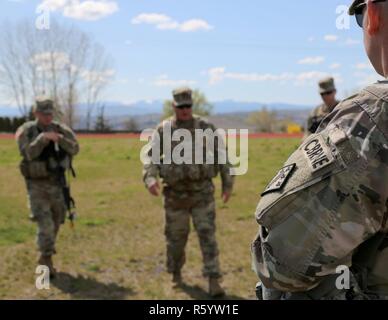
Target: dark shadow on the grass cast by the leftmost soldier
x=81 y=287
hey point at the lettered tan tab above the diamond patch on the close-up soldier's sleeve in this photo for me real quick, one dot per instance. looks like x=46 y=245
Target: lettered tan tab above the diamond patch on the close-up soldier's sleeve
x=317 y=153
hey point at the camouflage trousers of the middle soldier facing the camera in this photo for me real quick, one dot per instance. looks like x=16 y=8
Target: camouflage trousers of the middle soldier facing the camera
x=178 y=210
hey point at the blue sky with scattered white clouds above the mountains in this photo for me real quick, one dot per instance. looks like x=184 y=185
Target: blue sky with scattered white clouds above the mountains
x=247 y=50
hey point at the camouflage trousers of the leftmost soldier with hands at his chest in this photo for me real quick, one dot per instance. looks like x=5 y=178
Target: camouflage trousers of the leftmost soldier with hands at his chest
x=48 y=210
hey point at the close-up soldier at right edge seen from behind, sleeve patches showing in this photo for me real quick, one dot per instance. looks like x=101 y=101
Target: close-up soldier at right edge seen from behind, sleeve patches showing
x=327 y=207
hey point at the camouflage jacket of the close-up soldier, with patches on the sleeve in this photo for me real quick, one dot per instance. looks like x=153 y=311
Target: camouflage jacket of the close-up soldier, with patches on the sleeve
x=328 y=199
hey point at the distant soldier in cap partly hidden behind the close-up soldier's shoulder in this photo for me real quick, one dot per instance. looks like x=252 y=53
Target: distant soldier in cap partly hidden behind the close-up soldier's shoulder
x=328 y=92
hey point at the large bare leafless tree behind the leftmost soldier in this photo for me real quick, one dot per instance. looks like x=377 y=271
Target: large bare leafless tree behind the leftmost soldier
x=62 y=62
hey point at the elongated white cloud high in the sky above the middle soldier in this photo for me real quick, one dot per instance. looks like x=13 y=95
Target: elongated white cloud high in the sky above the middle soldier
x=164 y=22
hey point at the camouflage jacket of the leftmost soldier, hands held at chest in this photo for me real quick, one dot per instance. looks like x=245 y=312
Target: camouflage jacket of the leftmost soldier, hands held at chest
x=33 y=147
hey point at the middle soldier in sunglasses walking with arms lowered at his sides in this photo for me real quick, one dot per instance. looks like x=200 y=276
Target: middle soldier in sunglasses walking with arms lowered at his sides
x=188 y=191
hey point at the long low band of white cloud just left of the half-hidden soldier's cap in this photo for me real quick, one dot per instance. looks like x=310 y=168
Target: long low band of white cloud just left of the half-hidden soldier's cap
x=218 y=74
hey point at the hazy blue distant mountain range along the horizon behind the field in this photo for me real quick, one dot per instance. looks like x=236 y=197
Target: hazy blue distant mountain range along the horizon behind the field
x=227 y=113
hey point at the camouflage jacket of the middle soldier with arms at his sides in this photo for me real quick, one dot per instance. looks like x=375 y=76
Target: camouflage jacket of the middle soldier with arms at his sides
x=186 y=177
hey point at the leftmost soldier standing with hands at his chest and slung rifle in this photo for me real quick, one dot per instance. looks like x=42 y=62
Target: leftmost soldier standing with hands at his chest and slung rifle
x=47 y=148
